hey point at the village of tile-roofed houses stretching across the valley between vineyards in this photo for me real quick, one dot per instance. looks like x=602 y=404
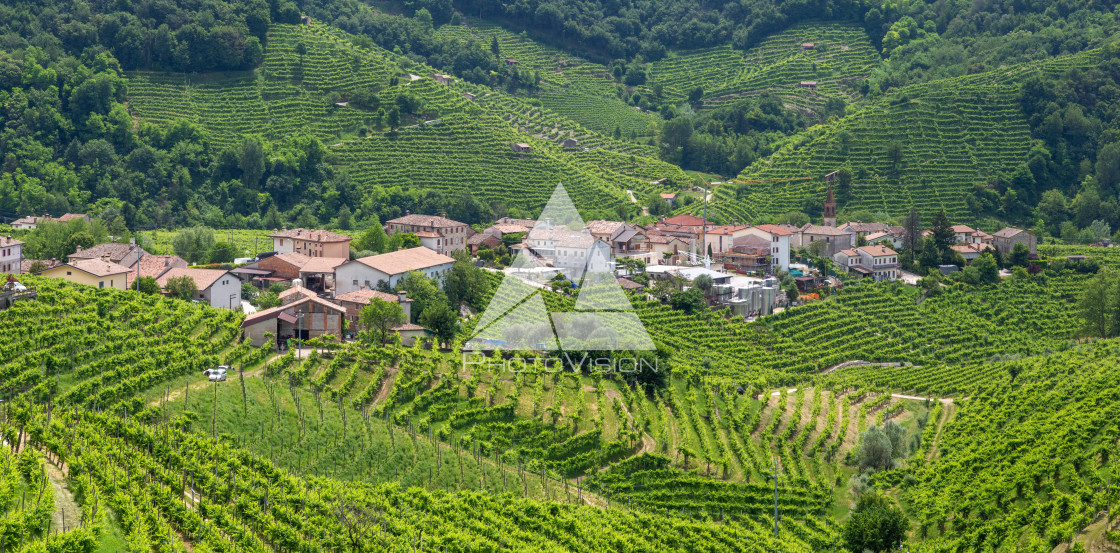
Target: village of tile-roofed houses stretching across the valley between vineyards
x=322 y=287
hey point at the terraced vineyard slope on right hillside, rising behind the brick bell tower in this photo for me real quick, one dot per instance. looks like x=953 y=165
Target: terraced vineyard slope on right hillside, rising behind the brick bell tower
x=955 y=134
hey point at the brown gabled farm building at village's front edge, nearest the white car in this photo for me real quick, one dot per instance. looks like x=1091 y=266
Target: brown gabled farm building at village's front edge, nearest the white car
x=306 y=318
